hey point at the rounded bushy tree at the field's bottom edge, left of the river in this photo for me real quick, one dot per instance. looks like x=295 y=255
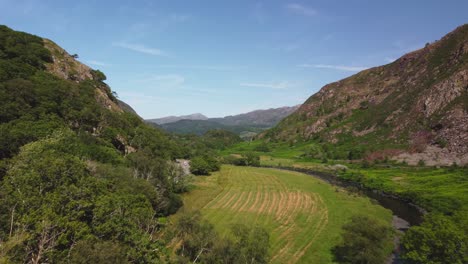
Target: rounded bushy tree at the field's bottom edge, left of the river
x=364 y=240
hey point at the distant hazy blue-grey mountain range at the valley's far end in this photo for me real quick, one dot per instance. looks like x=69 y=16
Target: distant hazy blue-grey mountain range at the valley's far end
x=246 y=125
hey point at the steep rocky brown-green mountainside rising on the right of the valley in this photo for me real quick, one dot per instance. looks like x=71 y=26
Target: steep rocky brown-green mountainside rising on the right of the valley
x=414 y=109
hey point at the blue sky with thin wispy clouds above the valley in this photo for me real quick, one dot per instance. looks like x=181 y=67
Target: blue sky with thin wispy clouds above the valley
x=228 y=57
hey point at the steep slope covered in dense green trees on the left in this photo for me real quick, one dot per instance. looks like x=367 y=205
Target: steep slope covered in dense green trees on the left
x=80 y=177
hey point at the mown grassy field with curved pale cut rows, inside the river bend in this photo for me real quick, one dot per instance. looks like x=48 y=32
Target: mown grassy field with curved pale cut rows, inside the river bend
x=303 y=215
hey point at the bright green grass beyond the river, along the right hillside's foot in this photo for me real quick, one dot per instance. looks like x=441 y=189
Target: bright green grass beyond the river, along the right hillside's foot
x=435 y=189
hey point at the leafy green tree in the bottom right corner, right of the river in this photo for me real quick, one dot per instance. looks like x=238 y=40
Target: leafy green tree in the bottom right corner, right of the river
x=437 y=240
